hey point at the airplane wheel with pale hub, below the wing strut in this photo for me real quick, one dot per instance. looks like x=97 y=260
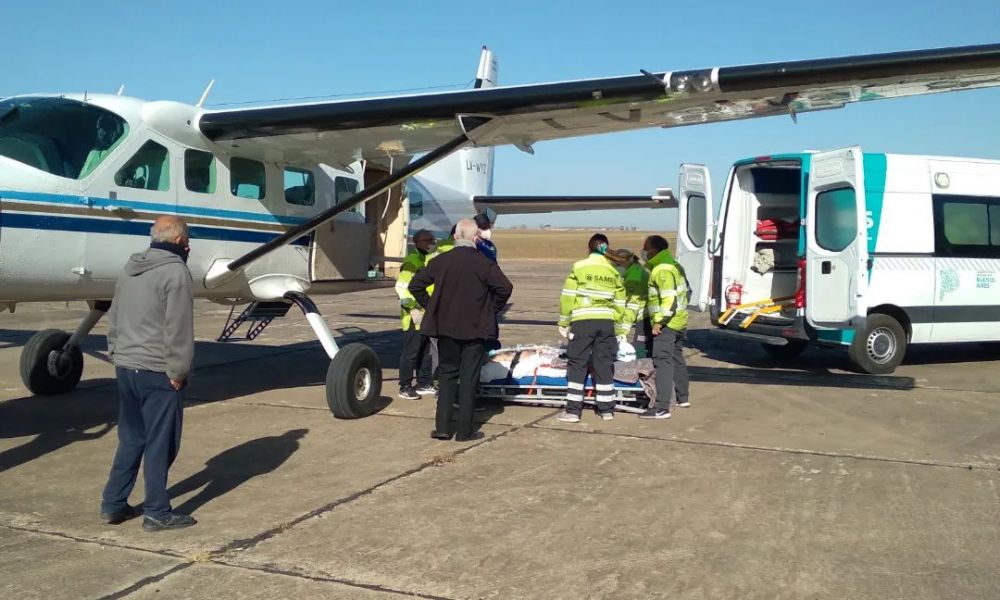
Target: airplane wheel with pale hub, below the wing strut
x=354 y=382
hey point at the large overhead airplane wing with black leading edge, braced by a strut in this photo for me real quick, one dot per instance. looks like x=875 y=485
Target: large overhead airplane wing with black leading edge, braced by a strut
x=340 y=132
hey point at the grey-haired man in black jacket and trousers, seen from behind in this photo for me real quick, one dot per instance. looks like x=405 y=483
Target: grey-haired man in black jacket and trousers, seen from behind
x=469 y=291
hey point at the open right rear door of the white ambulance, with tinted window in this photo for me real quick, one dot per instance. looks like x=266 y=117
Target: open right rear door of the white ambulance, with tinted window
x=836 y=240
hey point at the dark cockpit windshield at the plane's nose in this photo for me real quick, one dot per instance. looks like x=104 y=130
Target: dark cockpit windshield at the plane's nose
x=64 y=137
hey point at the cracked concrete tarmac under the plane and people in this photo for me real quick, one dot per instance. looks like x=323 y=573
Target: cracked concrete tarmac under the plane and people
x=799 y=480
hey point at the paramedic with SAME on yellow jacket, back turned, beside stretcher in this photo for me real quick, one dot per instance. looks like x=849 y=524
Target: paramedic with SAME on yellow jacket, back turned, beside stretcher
x=590 y=312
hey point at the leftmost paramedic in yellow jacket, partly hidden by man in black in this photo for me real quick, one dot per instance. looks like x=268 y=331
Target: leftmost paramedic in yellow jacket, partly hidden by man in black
x=415 y=354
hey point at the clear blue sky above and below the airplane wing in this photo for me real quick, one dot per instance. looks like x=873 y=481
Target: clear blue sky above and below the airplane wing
x=267 y=50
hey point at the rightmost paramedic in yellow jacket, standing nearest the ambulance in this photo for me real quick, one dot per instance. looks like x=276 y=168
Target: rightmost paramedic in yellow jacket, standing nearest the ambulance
x=667 y=307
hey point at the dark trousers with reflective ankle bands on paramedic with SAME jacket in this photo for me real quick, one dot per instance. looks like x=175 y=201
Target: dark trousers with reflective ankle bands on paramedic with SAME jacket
x=592 y=346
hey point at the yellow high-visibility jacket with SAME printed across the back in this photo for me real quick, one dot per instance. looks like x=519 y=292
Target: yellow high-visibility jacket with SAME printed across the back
x=594 y=290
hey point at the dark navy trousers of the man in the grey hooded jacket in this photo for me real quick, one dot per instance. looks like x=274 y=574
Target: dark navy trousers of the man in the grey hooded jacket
x=150 y=417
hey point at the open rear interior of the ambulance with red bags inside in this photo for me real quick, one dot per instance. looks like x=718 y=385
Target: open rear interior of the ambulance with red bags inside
x=762 y=230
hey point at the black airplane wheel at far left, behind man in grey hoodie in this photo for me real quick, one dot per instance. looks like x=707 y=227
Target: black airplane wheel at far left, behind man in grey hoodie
x=47 y=369
